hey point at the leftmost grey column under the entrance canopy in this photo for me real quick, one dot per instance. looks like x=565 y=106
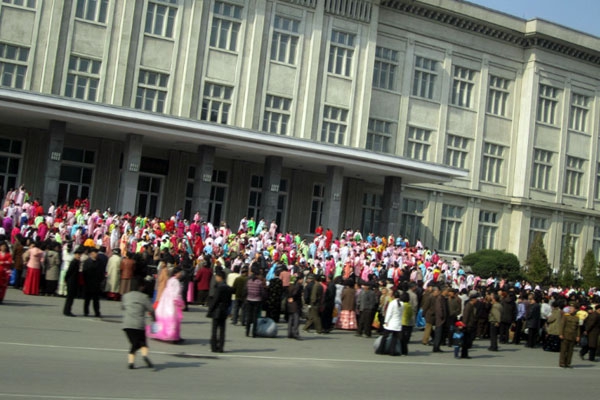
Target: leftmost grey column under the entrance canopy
x=56 y=131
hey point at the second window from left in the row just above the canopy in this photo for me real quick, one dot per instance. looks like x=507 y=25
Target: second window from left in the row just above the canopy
x=83 y=78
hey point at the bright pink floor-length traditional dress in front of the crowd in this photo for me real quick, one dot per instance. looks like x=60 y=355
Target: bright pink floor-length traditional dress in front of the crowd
x=168 y=314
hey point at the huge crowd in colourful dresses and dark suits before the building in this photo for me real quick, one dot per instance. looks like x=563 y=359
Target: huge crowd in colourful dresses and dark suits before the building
x=374 y=284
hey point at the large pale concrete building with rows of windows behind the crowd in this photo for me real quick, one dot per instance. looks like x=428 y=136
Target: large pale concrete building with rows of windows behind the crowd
x=434 y=119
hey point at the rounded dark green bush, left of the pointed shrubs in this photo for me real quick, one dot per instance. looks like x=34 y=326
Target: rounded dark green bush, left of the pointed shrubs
x=496 y=263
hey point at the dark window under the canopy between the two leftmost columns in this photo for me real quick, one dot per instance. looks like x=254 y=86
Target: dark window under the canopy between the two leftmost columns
x=76 y=171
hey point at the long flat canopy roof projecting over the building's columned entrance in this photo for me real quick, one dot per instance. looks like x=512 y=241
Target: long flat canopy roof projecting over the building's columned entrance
x=35 y=110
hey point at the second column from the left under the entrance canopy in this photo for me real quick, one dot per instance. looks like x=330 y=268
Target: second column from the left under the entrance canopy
x=132 y=158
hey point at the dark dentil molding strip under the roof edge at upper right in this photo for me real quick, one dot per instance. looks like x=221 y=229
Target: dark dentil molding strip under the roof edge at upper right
x=520 y=39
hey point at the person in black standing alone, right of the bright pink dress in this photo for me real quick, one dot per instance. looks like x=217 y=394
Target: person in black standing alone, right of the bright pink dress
x=218 y=310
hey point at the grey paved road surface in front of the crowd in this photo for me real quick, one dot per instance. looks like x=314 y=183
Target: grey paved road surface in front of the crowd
x=44 y=355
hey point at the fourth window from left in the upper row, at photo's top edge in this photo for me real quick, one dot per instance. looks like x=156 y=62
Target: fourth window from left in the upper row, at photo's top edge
x=226 y=25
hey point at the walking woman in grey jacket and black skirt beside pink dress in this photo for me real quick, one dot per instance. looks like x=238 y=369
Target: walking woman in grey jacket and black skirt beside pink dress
x=136 y=304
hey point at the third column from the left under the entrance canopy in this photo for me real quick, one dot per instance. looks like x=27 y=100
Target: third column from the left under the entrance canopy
x=203 y=181
